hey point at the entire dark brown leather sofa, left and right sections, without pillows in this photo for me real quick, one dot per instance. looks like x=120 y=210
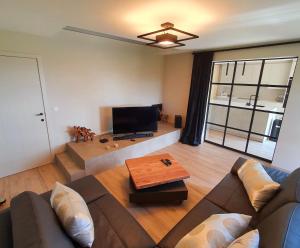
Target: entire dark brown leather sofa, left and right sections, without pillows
x=30 y=222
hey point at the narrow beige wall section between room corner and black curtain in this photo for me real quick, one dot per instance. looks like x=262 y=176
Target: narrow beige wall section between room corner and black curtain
x=177 y=80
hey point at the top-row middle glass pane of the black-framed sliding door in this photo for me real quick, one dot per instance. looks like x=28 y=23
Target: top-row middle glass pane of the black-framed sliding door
x=247 y=72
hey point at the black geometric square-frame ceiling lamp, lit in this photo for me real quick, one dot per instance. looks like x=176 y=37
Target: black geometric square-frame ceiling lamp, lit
x=168 y=37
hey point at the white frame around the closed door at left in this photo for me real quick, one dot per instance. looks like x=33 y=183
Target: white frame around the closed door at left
x=42 y=80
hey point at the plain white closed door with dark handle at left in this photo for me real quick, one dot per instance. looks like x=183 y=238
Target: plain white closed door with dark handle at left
x=24 y=142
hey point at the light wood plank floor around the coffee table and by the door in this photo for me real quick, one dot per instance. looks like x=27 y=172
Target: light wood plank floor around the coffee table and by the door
x=206 y=163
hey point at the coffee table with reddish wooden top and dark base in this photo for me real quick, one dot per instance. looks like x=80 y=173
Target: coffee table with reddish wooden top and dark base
x=152 y=182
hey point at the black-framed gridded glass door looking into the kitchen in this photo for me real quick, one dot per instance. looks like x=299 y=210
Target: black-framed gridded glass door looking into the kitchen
x=247 y=100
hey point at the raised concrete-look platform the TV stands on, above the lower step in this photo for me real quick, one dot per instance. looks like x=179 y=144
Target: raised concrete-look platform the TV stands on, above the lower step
x=94 y=157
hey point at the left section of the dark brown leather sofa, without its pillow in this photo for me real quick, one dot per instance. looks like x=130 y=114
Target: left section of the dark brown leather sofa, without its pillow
x=31 y=222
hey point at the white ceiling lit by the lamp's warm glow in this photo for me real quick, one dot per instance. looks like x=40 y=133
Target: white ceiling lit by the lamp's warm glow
x=218 y=23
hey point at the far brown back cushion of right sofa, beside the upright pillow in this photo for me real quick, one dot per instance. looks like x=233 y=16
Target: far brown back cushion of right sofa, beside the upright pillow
x=289 y=192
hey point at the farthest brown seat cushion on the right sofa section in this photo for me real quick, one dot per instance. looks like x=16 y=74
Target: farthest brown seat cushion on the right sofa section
x=231 y=196
